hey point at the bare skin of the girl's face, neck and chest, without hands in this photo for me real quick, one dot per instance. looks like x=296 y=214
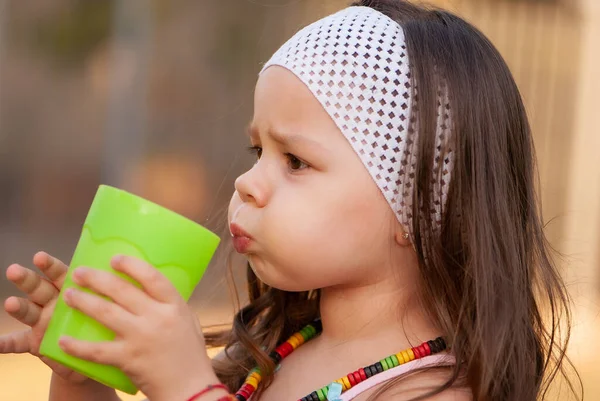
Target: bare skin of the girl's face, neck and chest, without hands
x=318 y=220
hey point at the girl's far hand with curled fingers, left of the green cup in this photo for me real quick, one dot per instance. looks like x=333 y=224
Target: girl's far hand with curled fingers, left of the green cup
x=35 y=310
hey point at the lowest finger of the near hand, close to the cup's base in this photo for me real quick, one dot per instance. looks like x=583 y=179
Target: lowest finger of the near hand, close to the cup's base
x=104 y=352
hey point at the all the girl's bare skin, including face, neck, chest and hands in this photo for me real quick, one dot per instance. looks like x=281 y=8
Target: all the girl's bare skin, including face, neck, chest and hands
x=317 y=220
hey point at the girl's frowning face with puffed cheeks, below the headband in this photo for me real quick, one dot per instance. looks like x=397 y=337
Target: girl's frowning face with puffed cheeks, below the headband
x=314 y=215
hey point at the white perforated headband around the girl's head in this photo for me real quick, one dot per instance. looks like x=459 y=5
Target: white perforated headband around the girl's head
x=356 y=64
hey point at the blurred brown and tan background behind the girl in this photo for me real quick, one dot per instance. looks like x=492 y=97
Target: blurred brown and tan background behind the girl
x=153 y=96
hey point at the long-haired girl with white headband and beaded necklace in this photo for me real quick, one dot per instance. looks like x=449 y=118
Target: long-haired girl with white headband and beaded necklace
x=391 y=230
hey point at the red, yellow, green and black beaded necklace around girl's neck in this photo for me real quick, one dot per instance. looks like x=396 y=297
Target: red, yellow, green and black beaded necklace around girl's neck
x=350 y=380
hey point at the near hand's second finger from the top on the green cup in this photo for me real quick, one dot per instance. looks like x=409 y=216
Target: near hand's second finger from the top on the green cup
x=119 y=290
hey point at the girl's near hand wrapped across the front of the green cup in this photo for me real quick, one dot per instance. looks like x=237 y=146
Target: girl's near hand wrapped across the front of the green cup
x=158 y=342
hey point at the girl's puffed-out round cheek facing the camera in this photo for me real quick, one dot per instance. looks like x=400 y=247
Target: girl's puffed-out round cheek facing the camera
x=324 y=240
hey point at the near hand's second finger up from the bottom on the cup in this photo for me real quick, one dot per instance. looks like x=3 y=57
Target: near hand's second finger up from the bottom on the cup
x=104 y=311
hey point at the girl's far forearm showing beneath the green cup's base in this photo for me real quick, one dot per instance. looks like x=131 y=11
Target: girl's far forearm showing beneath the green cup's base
x=89 y=390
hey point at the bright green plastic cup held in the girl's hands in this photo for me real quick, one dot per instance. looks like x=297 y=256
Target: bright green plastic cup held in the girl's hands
x=121 y=223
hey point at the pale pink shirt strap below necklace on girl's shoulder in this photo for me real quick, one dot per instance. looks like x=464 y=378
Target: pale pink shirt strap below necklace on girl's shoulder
x=428 y=361
